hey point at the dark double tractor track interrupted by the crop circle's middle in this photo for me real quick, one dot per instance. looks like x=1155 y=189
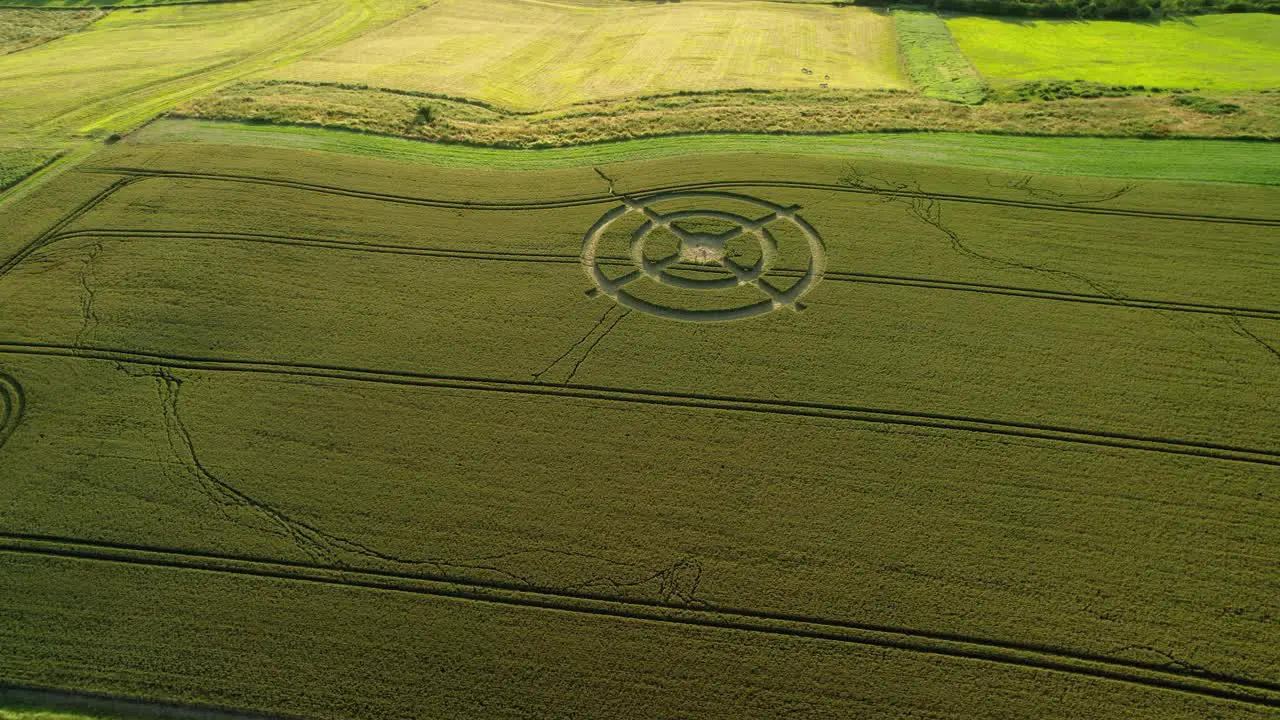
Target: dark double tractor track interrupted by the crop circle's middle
x=497 y=257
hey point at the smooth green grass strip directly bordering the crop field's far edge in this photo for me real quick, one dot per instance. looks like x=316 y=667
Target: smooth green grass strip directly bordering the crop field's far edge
x=1197 y=161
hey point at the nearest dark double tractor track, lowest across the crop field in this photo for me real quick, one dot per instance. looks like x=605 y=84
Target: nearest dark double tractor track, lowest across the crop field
x=1164 y=677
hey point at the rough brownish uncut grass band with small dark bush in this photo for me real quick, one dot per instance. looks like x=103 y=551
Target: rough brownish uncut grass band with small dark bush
x=783 y=113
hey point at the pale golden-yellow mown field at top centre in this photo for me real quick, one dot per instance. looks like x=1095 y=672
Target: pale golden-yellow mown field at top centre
x=527 y=54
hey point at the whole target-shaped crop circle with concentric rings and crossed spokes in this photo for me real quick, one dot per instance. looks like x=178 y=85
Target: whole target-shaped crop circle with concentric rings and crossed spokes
x=703 y=250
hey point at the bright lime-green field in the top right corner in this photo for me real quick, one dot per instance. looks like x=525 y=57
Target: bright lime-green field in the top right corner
x=1235 y=52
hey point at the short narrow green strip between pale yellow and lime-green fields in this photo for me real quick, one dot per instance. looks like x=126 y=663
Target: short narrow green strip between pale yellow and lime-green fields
x=934 y=61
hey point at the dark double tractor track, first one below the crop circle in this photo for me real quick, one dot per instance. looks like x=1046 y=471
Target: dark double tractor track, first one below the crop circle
x=820 y=411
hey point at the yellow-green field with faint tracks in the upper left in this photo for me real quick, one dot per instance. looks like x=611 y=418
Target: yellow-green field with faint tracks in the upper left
x=130 y=66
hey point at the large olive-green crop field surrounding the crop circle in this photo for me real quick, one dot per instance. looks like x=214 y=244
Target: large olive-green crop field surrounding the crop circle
x=374 y=443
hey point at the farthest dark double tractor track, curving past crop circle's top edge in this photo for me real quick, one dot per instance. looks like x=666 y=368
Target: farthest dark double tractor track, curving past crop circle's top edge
x=717 y=185
